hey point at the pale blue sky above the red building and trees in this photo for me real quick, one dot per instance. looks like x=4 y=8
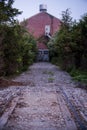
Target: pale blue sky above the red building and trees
x=54 y=7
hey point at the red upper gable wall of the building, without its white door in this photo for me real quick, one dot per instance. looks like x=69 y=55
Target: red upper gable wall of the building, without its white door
x=36 y=24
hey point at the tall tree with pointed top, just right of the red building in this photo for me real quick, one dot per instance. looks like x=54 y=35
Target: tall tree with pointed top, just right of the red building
x=62 y=39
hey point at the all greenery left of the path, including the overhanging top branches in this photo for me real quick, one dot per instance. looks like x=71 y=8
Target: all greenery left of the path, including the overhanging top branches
x=17 y=46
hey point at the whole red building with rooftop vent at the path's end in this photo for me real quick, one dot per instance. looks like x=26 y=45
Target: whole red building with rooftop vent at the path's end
x=42 y=26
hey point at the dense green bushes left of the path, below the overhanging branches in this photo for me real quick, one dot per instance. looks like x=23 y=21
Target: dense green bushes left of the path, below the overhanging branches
x=18 y=48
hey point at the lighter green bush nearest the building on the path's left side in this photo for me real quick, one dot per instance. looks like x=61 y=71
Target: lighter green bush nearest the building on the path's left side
x=28 y=50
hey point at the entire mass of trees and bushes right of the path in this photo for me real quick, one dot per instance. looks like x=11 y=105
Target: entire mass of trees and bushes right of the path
x=68 y=47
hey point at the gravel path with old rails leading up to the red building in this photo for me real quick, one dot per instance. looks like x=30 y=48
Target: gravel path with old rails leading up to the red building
x=49 y=100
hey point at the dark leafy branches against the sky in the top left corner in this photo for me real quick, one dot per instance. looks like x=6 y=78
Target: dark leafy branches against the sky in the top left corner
x=7 y=12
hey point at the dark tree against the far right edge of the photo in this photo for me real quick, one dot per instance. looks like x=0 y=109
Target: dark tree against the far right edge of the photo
x=79 y=34
